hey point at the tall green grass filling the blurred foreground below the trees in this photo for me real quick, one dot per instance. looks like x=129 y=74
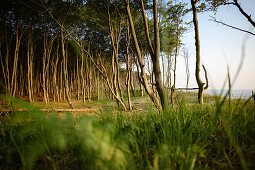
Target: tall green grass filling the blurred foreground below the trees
x=188 y=136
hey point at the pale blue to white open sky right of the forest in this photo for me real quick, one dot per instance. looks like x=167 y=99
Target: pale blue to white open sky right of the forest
x=221 y=47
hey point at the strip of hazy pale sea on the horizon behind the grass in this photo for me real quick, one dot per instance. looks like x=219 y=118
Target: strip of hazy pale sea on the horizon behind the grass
x=235 y=93
